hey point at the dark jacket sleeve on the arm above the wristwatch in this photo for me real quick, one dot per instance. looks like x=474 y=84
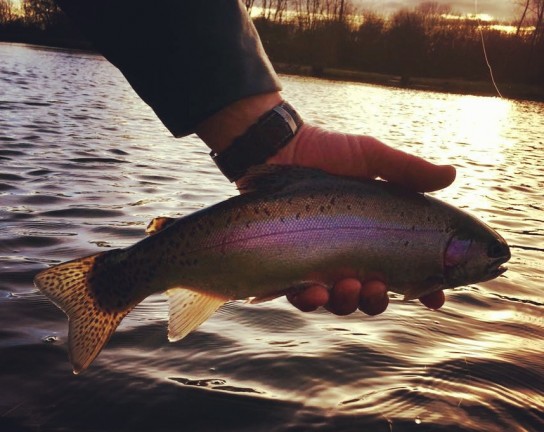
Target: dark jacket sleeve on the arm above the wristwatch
x=187 y=59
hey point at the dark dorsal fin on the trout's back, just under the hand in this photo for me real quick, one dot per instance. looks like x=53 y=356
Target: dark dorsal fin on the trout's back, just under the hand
x=273 y=178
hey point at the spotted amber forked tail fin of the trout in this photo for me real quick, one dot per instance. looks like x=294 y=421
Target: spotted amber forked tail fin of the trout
x=90 y=325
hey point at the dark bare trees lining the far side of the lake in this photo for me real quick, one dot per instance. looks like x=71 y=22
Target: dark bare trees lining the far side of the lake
x=425 y=41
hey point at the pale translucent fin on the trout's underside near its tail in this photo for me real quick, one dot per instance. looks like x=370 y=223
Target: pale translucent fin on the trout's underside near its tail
x=188 y=309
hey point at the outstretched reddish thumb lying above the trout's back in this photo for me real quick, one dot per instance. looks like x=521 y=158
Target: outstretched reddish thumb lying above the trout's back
x=408 y=170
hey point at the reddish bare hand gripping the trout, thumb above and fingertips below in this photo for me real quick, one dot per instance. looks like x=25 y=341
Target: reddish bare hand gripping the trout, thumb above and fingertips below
x=365 y=157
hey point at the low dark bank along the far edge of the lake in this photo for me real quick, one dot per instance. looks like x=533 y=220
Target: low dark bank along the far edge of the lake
x=514 y=91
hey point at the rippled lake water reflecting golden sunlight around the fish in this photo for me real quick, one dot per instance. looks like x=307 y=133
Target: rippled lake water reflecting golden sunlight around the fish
x=85 y=165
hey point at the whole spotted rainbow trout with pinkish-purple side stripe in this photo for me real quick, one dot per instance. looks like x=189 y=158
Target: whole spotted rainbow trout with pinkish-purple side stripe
x=292 y=227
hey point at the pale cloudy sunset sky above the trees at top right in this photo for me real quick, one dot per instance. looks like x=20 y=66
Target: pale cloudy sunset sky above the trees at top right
x=500 y=9
